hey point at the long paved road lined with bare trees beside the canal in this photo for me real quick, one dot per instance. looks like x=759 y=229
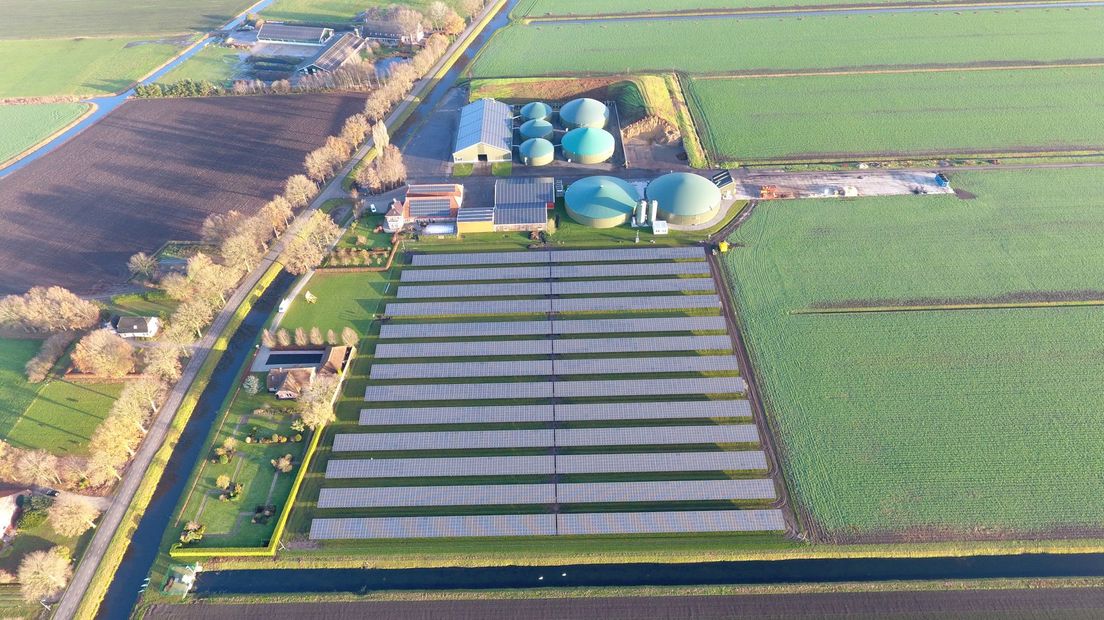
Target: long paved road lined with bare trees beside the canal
x=125 y=494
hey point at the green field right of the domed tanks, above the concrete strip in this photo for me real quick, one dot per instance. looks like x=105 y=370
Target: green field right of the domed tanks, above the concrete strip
x=819 y=119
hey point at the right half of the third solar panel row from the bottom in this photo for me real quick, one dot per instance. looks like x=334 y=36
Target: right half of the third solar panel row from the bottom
x=646 y=463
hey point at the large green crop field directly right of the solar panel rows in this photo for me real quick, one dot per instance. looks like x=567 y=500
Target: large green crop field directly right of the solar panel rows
x=937 y=424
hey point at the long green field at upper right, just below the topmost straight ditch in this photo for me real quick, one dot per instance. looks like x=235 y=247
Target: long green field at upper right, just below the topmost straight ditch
x=726 y=46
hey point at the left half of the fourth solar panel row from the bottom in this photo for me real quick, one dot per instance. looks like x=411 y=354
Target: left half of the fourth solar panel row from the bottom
x=442 y=441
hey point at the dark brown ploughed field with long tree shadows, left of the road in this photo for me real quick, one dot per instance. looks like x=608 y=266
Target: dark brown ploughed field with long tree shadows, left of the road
x=151 y=173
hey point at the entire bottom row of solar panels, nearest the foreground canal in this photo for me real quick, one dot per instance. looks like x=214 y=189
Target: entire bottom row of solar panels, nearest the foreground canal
x=570 y=525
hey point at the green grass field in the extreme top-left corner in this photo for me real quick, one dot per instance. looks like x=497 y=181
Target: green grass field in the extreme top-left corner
x=35 y=19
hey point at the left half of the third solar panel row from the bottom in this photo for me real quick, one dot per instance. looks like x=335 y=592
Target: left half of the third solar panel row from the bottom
x=447 y=467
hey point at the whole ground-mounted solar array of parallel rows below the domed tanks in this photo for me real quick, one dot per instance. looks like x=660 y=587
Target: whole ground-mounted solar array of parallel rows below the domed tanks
x=558 y=458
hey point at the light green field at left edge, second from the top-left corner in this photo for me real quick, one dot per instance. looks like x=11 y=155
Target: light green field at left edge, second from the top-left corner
x=79 y=67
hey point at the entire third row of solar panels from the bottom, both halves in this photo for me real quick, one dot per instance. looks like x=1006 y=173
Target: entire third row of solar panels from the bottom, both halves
x=547 y=465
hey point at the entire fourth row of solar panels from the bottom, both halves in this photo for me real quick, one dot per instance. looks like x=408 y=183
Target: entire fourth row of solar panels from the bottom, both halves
x=546 y=439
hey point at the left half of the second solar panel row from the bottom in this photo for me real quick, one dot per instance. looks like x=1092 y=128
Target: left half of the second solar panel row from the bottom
x=453 y=496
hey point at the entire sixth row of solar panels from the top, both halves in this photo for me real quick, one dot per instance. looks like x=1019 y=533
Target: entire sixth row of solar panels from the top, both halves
x=554 y=347
